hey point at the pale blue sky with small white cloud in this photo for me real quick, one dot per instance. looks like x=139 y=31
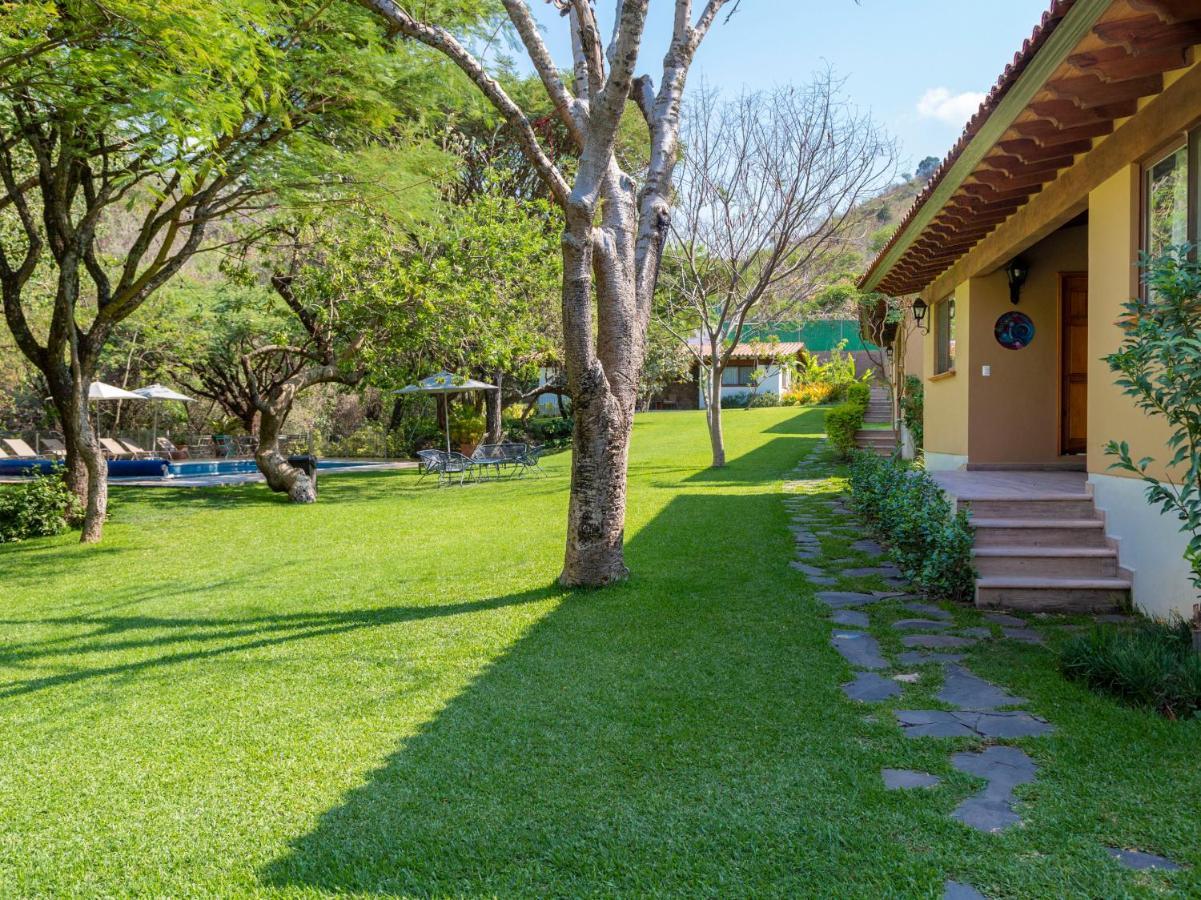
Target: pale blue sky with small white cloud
x=921 y=67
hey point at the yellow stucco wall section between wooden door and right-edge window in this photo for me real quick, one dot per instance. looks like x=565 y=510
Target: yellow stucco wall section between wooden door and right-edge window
x=1113 y=257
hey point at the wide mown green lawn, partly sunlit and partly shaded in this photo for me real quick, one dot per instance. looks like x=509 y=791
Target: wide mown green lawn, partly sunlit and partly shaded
x=387 y=694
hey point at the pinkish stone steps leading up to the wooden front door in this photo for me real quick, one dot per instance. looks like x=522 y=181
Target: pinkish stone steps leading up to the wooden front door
x=1045 y=552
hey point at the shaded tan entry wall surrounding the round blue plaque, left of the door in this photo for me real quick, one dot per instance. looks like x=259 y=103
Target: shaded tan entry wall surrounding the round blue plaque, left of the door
x=1015 y=410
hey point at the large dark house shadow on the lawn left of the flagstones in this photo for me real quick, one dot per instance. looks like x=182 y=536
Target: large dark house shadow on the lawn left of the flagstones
x=659 y=737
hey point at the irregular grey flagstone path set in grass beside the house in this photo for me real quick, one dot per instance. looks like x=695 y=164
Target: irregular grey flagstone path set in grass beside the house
x=924 y=655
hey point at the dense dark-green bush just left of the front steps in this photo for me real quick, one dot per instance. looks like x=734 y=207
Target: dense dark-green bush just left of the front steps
x=929 y=541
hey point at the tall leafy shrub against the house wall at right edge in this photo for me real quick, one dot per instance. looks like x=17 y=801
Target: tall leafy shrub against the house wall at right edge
x=1160 y=366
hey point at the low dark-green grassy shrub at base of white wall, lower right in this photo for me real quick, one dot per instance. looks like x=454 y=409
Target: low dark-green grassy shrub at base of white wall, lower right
x=1152 y=666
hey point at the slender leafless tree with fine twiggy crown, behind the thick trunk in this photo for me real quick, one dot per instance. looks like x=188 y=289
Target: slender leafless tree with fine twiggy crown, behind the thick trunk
x=769 y=193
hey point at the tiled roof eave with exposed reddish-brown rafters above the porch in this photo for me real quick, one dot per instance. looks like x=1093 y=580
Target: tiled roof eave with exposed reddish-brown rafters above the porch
x=1086 y=68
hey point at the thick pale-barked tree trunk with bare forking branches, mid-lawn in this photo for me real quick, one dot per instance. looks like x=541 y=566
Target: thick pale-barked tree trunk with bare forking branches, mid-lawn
x=614 y=233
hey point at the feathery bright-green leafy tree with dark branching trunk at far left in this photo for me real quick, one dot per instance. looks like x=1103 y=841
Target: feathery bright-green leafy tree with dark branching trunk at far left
x=192 y=115
